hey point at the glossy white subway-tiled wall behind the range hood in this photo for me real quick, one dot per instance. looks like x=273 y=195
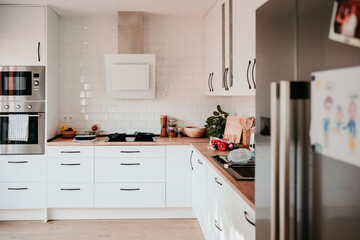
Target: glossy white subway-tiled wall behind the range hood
x=177 y=42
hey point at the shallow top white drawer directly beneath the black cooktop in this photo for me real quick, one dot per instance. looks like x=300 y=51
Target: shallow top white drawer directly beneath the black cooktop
x=130 y=151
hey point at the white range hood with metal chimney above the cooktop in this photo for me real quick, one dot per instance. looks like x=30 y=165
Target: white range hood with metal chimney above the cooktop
x=130 y=74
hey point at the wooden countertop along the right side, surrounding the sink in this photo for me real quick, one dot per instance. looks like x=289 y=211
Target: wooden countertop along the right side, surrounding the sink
x=246 y=189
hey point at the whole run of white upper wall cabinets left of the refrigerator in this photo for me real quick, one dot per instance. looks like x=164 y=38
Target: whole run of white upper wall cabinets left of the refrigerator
x=230 y=48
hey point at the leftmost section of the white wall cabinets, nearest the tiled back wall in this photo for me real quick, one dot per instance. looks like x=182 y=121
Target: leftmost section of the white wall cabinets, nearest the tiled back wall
x=213 y=50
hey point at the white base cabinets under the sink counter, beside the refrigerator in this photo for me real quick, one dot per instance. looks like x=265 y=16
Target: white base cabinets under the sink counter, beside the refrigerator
x=227 y=215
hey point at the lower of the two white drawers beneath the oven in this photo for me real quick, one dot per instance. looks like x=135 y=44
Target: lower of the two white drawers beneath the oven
x=22 y=195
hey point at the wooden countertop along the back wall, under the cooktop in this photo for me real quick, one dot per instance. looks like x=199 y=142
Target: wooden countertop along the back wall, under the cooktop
x=101 y=142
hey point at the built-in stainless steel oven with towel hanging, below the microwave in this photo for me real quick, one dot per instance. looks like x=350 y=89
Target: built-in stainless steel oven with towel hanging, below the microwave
x=35 y=111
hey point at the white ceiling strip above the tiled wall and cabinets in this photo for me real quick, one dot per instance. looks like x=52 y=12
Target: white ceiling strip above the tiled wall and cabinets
x=88 y=7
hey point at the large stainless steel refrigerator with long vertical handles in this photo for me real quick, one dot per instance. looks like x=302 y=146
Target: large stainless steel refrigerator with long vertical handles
x=321 y=197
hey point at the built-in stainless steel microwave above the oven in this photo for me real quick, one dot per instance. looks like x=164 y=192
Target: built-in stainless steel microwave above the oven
x=22 y=83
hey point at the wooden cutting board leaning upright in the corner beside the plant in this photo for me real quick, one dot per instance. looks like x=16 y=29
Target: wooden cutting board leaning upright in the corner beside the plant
x=234 y=127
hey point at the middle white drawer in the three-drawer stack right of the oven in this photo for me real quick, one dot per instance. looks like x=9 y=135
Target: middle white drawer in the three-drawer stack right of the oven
x=70 y=170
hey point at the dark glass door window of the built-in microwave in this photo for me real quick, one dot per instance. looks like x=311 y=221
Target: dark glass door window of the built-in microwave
x=15 y=83
